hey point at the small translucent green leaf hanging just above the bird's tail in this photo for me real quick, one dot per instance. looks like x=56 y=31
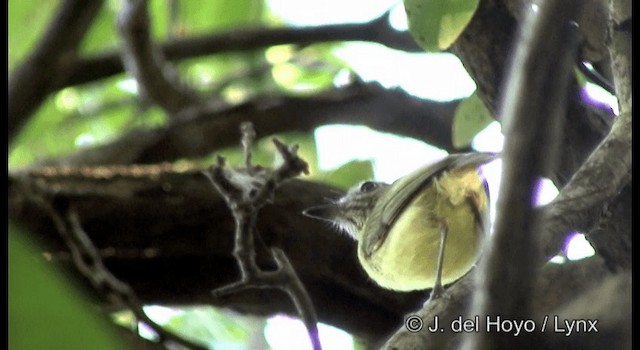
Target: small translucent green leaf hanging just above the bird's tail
x=471 y=117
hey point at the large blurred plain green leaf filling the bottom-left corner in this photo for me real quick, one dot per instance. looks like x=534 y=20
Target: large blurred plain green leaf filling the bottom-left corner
x=45 y=310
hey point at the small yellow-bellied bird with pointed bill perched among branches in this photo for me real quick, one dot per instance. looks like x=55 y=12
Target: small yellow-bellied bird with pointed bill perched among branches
x=424 y=230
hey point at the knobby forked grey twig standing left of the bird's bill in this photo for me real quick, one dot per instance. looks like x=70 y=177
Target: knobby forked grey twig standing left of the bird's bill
x=246 y=191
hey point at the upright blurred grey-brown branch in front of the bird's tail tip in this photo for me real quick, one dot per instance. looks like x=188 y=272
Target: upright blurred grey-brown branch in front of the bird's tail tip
x=533 y=110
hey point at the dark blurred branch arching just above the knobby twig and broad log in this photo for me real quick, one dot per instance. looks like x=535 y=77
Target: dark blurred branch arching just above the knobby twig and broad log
x=203 y=131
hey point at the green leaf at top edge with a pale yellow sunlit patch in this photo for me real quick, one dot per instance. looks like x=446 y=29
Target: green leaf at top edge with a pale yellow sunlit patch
x=436 y=24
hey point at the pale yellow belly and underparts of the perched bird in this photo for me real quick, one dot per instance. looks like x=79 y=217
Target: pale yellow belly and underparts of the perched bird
x=407 y=259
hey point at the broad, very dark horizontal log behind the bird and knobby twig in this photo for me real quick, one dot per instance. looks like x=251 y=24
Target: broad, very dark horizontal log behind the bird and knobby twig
x=171 y=230
